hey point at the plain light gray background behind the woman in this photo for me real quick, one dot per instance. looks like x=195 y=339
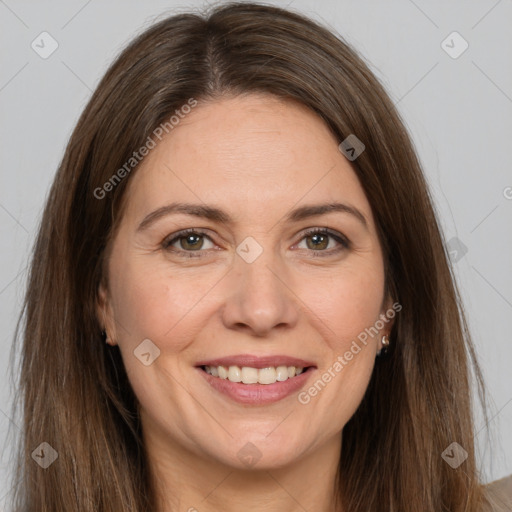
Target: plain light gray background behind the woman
x=458 y=111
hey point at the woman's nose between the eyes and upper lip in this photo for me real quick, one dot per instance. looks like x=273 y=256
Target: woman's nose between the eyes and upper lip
x=260 y=298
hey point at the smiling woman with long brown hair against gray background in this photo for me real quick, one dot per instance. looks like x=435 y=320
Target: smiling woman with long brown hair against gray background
x=240 y=296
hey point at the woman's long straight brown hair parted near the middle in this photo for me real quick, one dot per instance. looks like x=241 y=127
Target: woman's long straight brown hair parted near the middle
x=73 y=387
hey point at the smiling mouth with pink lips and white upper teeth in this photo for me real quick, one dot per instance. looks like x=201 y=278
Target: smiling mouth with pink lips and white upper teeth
x=256 y=380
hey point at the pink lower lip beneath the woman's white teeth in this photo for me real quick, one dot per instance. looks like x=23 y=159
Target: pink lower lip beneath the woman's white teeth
x=257 y=394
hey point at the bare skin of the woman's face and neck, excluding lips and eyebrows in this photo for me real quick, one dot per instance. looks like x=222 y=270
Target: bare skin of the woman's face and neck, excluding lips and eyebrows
x=257 y=158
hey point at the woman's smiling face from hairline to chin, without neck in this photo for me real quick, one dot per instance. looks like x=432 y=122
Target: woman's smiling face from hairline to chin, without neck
x=248 y=287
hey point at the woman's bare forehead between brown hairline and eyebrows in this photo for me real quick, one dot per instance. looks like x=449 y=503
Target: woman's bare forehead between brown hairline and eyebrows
x=255 y=153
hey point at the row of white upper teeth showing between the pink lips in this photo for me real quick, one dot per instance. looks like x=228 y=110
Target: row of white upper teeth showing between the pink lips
x=249 y=375
